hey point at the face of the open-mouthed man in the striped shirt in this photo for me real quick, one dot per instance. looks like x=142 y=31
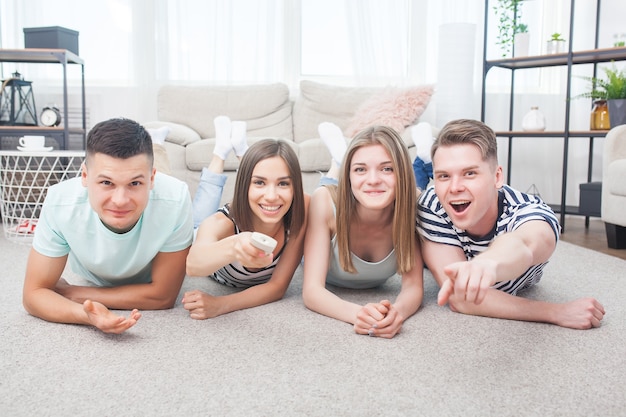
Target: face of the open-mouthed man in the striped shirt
x=467 y=187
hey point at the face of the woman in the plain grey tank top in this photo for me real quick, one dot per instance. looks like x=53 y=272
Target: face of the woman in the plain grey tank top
x=372 y=177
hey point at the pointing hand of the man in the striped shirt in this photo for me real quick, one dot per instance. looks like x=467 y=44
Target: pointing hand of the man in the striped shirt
x=468 y=281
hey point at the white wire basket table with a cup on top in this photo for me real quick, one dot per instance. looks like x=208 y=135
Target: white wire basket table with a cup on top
x=24 y=178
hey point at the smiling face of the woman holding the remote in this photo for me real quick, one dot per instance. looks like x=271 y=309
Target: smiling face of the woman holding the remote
x=271 y=190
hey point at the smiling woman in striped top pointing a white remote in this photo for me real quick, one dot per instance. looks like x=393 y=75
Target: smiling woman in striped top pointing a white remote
x=268 y=198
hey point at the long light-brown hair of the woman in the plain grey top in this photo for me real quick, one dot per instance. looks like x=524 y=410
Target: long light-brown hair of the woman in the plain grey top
x=404 y=215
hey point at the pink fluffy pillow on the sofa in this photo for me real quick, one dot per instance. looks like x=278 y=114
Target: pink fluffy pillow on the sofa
x=396 y=108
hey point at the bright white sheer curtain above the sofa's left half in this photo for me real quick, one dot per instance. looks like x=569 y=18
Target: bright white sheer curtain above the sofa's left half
x=222 y=41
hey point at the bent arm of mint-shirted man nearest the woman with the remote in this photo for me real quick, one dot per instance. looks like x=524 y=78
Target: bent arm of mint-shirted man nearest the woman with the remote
x=168 y=273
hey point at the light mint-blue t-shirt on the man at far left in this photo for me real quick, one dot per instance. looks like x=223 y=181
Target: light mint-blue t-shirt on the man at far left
x=68 y=224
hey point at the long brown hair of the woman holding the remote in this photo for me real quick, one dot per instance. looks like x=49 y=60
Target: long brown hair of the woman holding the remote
x=259 y=151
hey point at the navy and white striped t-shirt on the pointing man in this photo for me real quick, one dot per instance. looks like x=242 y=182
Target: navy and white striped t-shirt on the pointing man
x=515 y=208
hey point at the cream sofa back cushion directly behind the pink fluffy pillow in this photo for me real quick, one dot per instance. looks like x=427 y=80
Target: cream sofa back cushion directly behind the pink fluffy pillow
x=319 y=103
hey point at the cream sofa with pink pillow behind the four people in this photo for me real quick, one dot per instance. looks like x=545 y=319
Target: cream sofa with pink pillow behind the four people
x=271 y=111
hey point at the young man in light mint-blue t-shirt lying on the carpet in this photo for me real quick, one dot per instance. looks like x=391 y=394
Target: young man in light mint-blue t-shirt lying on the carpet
x=125 y=229
